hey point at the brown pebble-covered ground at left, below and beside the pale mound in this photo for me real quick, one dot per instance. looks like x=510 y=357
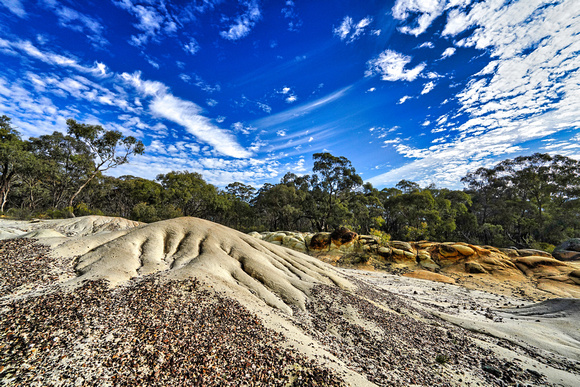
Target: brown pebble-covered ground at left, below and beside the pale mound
x=148 y=332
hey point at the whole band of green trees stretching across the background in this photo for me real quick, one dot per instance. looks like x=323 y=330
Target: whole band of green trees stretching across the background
x=529 y=201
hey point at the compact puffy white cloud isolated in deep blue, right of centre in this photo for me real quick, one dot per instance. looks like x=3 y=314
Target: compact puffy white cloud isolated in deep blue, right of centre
x=391 y=65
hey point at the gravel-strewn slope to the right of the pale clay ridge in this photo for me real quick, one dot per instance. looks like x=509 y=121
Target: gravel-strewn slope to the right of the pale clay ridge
x=404 y=346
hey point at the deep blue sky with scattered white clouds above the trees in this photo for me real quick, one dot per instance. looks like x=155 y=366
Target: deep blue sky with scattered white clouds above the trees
x=247 y=90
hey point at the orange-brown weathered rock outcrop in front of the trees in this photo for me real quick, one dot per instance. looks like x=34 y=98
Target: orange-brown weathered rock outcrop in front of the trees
x=443 y=260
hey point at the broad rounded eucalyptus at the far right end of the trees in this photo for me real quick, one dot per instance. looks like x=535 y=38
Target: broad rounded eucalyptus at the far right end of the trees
x=526 y=196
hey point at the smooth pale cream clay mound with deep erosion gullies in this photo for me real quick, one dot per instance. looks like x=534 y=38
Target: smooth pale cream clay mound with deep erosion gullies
x=191 y=247
